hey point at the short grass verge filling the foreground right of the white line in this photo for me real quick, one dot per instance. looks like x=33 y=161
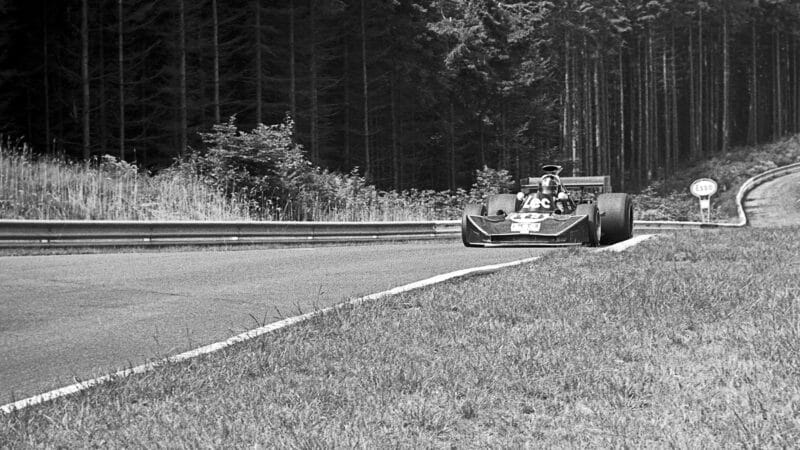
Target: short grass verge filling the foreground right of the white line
x=685 y=340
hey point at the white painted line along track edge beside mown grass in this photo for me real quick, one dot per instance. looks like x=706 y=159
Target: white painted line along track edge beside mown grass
x=246 y=336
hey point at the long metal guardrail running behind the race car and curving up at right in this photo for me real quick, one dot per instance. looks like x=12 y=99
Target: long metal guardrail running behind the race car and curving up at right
x=99 y=233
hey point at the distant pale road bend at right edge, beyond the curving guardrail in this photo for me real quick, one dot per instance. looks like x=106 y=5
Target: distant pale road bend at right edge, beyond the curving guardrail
x=774 y=203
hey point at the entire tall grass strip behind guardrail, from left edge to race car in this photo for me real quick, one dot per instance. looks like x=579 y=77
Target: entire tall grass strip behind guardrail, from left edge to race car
x=42 y=187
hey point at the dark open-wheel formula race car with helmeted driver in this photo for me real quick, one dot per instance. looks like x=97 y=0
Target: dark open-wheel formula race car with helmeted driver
x=551 y=211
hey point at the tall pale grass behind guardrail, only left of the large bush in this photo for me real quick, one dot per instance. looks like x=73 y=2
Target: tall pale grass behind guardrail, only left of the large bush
x=43 y=188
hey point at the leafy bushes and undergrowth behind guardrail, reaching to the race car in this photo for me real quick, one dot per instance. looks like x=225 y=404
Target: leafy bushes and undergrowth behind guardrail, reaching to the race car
x=266 y=169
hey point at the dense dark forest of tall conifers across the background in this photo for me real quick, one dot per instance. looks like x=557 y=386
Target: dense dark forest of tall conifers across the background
x=412 y=93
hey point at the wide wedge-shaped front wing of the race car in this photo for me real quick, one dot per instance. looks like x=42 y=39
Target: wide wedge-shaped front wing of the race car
x=492 y=231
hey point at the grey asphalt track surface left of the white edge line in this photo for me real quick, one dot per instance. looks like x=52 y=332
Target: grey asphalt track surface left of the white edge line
x=74 y=317
